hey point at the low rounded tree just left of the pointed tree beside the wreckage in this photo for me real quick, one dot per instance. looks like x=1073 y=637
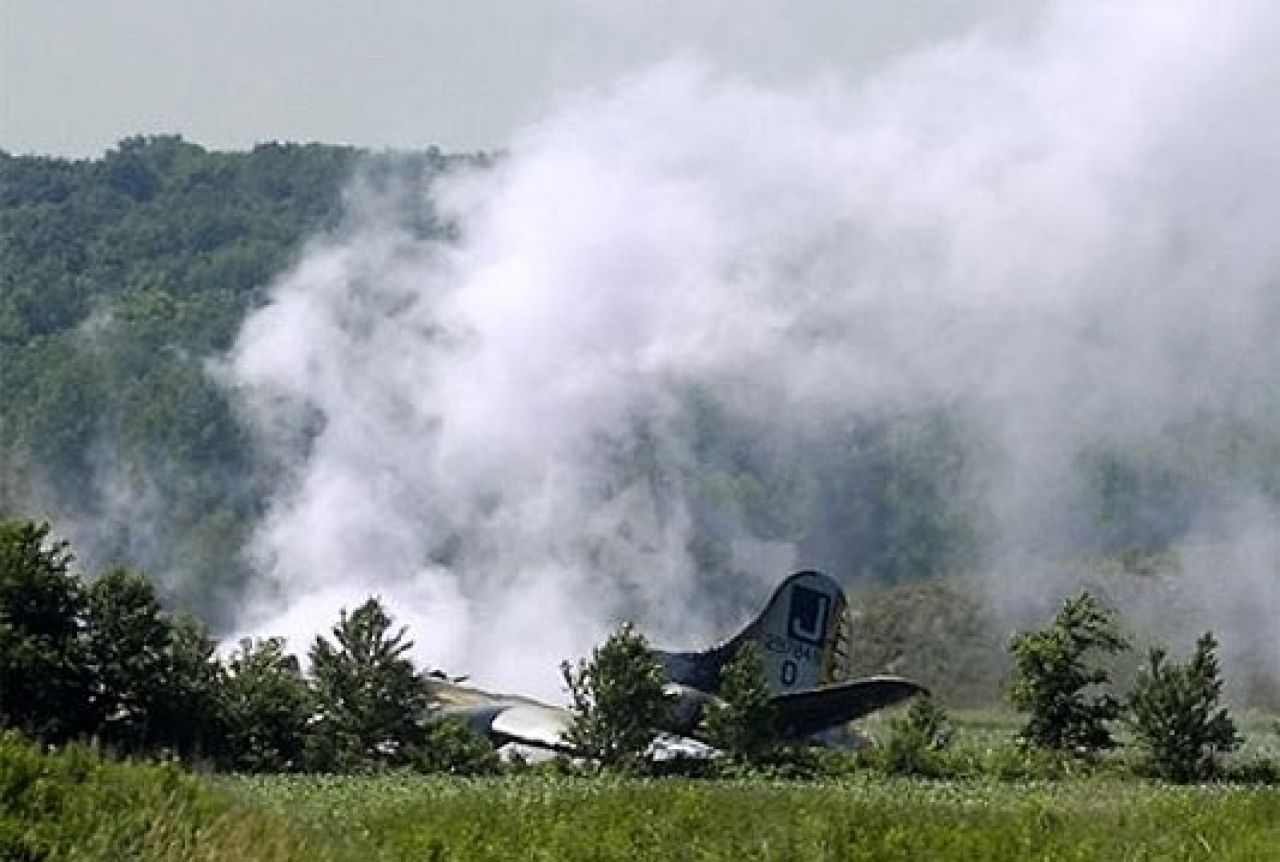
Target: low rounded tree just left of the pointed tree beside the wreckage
x=266 y=706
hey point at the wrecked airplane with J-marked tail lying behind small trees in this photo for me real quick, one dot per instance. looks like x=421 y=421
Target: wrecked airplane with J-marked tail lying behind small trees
x=804 y=636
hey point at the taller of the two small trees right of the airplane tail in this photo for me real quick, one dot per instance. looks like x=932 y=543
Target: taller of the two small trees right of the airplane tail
x=1052 y=676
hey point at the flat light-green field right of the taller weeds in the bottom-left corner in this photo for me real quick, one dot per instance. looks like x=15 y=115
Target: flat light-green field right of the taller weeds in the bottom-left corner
x=580 y=819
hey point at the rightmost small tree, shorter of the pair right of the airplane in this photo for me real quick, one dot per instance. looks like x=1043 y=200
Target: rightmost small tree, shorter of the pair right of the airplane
x=1176 y=717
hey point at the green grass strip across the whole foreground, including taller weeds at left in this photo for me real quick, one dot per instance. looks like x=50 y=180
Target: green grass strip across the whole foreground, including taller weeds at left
x=75 y=805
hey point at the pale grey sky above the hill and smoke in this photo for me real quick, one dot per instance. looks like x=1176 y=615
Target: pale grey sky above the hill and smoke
x=76 y=76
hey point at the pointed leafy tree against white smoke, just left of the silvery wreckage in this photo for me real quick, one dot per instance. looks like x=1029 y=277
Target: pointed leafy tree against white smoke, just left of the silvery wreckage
x=373 y=708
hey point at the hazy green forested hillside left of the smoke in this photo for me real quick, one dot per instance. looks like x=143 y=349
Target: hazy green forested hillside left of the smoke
x=120 y=280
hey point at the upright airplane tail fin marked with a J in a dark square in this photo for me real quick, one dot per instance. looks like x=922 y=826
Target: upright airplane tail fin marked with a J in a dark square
x=804 y=636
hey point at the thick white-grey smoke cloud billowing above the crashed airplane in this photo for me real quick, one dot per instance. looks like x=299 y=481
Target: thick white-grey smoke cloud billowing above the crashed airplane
x=1064 y=238
